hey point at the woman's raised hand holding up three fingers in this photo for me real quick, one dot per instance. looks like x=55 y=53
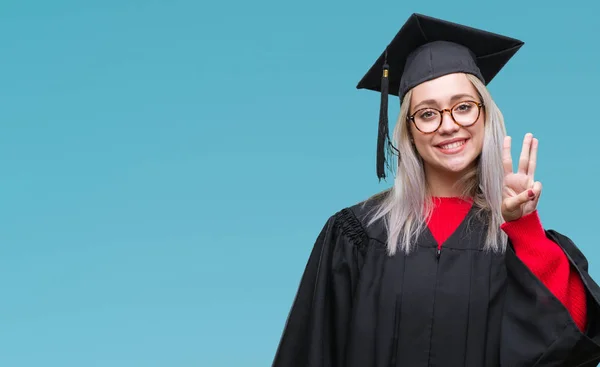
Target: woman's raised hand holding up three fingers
x=521 y=192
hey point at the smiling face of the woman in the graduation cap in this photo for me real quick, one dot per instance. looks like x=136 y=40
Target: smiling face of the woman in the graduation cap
x=452 y=148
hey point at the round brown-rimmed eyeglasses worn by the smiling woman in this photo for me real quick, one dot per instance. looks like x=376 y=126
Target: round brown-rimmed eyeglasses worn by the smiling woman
x=428 y=120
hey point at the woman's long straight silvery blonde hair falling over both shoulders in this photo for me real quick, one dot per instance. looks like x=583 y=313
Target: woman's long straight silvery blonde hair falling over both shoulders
x=406 y=205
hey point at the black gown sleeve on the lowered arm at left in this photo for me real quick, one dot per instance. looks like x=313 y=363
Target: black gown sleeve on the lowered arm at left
x=316 y=328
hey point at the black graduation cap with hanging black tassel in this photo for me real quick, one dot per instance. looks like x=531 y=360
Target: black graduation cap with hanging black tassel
x=426 y=48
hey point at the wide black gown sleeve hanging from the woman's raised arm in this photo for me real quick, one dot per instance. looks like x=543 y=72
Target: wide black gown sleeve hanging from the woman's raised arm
x=537 y=329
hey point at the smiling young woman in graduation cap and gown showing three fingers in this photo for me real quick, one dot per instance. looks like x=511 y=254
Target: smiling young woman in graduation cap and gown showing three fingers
x=451 y=266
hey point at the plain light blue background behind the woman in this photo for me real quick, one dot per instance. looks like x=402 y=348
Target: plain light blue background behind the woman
x=166 y=165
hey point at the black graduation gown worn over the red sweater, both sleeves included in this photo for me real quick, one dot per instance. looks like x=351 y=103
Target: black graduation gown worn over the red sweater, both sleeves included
x=358 y=307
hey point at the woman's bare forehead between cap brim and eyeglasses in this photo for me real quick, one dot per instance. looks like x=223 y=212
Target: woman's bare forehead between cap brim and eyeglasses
x=443 y=89
